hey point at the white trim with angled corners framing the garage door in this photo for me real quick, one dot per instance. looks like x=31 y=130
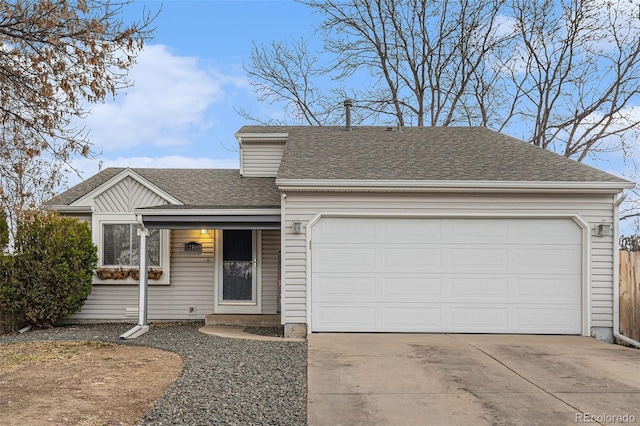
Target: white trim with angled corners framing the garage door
x=586 y=267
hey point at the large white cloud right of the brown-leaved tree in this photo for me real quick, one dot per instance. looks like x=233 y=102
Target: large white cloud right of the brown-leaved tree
x=167 y=105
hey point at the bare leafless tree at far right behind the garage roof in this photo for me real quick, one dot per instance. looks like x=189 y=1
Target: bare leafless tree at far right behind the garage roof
x=574 y=74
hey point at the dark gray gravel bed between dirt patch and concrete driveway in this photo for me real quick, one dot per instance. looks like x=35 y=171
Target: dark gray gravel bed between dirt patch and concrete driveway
x=223 y=381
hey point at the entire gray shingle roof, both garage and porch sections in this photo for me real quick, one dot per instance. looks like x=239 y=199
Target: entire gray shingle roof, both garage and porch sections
x=365 y=153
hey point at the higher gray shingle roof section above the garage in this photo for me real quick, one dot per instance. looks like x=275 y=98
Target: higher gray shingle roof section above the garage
x=422 y=153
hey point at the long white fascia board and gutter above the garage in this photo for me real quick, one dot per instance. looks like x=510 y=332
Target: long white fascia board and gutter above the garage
x=445 y=185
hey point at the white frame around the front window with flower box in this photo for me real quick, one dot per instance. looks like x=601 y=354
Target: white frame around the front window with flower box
x=129 y=219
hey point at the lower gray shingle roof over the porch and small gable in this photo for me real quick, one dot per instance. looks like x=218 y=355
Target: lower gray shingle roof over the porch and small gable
x=195 y=188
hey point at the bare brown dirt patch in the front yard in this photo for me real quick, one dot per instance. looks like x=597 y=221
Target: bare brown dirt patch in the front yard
x=81 y=383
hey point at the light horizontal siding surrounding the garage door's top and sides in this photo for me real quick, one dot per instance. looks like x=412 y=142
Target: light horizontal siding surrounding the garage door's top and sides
x=304 y=206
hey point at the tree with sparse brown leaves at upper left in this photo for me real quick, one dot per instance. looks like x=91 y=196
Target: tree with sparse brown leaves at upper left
x=56 y=58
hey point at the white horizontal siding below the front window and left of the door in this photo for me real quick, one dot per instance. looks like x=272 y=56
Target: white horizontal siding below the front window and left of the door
x=191 y=285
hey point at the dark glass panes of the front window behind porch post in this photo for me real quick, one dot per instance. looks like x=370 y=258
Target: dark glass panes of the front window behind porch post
x=121 y=245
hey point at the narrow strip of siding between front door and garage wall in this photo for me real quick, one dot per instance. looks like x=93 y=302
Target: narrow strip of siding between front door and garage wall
x=270 y=249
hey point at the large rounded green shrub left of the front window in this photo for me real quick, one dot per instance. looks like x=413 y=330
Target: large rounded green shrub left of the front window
x=54 y=259
